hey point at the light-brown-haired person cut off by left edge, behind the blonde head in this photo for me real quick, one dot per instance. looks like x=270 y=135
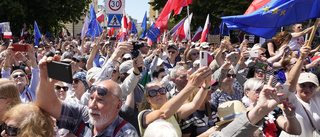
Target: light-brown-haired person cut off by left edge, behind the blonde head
x=9 y=96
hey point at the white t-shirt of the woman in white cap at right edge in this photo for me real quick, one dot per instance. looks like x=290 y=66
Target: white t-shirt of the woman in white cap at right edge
x=313 y=109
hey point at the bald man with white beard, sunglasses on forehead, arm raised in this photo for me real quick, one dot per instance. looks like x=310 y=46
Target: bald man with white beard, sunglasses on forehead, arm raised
x=100 y=118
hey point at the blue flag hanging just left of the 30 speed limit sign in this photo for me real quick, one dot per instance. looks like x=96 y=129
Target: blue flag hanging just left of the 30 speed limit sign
x=94 y=28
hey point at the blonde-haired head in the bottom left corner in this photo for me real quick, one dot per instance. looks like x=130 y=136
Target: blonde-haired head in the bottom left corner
x=27 y=120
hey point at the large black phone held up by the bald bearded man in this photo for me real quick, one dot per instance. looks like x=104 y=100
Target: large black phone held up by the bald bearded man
x=60 y=71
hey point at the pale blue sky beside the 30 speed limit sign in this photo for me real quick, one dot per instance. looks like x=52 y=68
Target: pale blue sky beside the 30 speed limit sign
x=135 y=8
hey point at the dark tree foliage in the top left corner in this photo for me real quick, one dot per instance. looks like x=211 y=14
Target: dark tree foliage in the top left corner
x=47 y=13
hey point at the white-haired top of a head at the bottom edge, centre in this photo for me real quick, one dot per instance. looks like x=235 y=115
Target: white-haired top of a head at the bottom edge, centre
x=167 y=129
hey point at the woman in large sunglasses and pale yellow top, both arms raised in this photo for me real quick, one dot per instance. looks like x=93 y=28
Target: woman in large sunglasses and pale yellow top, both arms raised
x=155 y=106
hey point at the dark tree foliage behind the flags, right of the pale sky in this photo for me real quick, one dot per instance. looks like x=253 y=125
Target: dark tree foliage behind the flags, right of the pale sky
x=201 y=8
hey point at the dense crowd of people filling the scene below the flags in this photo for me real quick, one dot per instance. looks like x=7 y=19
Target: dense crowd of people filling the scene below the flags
x=132 y=89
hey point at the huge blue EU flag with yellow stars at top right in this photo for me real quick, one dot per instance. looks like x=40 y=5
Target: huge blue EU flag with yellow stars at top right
x=266 y=21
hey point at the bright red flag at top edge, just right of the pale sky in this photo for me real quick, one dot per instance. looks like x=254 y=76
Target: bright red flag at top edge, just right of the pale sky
x=164 y=15
